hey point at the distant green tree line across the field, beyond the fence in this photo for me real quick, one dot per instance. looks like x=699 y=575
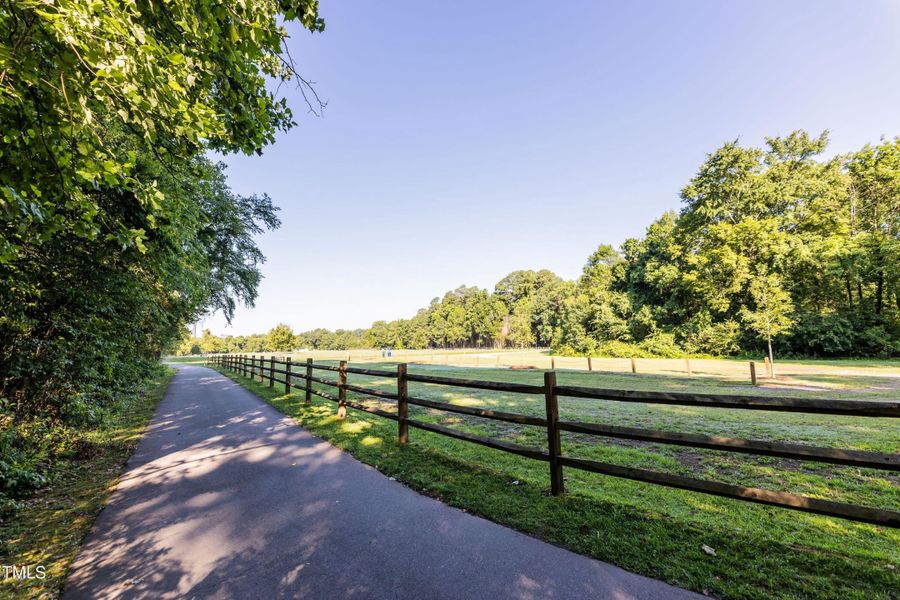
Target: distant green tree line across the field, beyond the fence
x=773 y=247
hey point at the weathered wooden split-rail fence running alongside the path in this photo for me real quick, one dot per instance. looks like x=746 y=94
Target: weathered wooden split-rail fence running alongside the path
x=270 y=369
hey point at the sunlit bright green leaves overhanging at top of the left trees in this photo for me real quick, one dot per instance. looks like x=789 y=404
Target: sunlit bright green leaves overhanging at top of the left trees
x=75 y=68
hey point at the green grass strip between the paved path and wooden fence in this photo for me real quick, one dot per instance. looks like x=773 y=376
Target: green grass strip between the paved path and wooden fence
x=760 y=552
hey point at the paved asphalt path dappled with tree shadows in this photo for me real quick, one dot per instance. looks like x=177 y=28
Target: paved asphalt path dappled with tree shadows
x=227 y=498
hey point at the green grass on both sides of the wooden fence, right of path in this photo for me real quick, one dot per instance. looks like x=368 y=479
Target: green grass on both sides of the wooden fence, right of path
x=760 y=552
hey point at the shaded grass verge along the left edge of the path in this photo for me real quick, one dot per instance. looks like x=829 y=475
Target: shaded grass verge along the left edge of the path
x=49 y=529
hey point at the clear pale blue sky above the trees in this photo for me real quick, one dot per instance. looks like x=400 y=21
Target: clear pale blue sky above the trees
x=465 y=140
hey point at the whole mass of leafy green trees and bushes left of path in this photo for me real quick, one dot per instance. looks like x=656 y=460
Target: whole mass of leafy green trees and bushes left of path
x=115 y=230
